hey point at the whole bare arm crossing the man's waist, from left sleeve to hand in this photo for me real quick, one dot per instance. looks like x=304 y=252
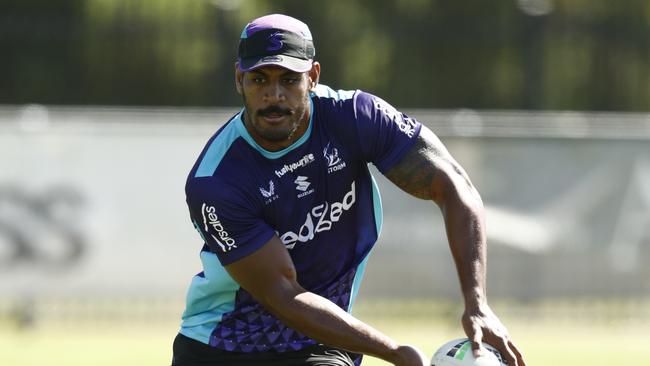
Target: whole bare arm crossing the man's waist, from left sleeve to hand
x=269 y=275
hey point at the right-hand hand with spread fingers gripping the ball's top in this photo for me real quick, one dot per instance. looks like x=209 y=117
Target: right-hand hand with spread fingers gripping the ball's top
x=482 y=325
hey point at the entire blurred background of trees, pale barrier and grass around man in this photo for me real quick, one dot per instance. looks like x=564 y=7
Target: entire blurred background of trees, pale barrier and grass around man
x=105 y=105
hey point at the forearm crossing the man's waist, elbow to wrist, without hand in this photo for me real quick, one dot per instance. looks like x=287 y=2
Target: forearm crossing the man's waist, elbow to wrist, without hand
x=322 y=320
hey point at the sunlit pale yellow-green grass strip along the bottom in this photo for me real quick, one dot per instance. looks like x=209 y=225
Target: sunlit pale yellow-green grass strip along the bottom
x=604 y=340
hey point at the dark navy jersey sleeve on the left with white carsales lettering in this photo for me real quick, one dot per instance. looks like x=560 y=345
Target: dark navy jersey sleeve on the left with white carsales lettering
x=225 y=219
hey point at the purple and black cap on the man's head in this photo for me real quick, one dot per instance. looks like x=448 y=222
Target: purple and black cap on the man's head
x=278 y=40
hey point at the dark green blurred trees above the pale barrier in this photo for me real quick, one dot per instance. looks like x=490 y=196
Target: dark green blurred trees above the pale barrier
x=500 y=54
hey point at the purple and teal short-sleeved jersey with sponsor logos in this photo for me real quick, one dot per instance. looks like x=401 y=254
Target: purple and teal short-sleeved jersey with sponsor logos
x=316 y=195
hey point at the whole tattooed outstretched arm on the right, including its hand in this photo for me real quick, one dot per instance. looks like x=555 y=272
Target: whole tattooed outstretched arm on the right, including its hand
x=429 y=172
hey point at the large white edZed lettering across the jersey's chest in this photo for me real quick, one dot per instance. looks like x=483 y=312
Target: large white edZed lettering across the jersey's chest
x=320 y=218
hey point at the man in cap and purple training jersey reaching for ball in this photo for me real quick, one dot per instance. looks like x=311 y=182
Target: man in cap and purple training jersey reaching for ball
x=289 y=212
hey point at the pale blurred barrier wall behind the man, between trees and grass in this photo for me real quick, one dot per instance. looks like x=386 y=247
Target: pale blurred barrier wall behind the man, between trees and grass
x=92 y=204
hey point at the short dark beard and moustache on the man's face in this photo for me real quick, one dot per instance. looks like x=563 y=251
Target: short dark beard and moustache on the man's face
x=275 y=133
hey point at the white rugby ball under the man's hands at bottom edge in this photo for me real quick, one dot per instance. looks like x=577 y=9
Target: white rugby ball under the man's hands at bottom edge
x=459 y=353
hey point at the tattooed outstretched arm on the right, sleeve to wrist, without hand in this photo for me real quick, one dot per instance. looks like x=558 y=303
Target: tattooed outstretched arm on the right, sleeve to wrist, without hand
x=429 y=172
